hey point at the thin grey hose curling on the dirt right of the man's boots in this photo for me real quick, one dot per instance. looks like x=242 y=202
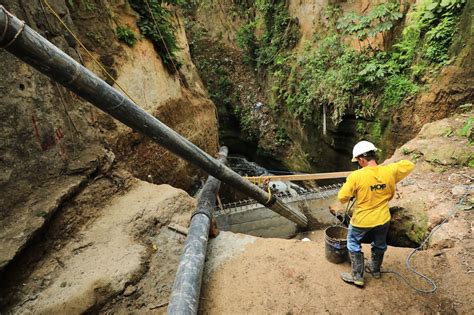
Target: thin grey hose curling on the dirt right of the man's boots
x=412 y=254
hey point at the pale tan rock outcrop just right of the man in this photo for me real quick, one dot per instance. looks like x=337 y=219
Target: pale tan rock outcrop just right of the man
x=442 y=178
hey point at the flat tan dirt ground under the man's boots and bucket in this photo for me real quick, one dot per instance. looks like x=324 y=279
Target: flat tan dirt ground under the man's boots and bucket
x=275 y=276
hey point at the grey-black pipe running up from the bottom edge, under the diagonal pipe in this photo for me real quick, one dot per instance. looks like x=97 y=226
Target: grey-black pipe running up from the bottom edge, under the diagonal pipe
x=187 y=283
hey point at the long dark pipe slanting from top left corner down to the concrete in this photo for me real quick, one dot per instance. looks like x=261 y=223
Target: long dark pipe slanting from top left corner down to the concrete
x=32 y=48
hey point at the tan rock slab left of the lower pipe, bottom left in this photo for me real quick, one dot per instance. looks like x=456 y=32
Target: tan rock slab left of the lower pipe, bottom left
x=108 y=256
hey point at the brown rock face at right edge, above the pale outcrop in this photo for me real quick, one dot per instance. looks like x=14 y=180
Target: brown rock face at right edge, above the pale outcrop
x=446 y=92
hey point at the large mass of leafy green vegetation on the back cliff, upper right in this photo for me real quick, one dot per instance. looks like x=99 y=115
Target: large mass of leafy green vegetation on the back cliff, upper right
x=329 y=72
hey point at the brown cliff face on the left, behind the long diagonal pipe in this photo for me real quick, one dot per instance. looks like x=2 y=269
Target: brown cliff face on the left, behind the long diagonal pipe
x=53 y=143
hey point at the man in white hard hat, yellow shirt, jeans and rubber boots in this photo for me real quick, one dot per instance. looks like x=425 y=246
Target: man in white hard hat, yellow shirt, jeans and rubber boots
x=373 y=186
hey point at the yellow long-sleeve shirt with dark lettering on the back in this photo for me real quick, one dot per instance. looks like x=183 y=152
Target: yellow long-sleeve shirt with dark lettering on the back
x=374 y=187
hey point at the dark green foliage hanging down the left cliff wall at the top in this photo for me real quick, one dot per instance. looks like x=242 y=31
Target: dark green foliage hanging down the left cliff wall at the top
x=155 y=23
